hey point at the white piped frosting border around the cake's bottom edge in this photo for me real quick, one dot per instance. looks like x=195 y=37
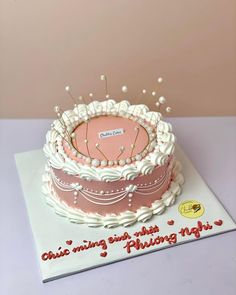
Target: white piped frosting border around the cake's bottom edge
x=112 y=220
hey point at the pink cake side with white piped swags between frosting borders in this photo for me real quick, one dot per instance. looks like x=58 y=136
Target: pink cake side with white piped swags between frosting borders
x=112 y=197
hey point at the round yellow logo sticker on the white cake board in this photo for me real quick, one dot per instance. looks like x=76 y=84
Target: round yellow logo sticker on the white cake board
x=191 y=209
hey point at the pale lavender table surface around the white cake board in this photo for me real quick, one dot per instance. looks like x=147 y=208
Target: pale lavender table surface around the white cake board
x=207 y=266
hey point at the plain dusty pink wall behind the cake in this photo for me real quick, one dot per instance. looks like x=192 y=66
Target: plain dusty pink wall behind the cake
x=45 y=45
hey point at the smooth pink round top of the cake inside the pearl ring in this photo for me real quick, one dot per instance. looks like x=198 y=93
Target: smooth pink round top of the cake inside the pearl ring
x=112 y=134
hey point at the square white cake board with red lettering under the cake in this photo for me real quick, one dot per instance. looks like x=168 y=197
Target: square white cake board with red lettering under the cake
x=52 y=231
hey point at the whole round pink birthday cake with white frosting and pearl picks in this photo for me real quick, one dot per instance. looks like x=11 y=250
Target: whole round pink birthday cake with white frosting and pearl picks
x=110 y=163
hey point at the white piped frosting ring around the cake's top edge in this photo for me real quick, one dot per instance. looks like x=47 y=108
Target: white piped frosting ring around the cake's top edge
x=58 y=159
